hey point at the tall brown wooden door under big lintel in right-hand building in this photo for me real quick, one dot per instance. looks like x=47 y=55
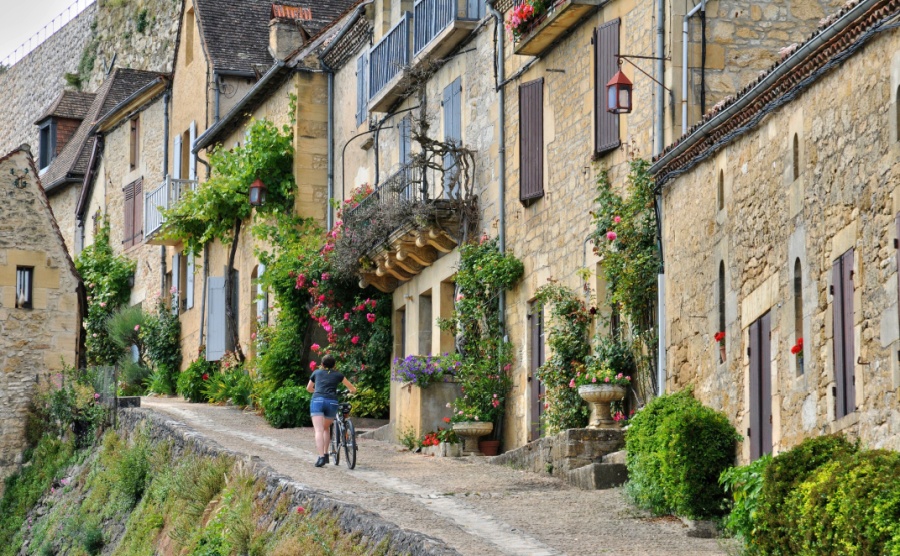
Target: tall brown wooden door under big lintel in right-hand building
x=760 y=351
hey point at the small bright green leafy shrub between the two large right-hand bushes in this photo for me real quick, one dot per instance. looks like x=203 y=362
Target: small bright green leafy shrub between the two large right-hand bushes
x=745 y=486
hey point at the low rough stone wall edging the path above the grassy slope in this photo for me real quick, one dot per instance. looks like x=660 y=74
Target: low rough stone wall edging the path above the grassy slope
x=351 y=518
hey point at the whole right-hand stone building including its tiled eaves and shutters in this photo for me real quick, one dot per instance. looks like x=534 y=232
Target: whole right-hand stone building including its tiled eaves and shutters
x=781 y=228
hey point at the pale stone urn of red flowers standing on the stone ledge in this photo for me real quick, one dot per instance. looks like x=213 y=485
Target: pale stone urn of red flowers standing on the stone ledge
x=600 y=385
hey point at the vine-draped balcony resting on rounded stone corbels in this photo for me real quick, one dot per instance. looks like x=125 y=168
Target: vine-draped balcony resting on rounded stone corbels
x=407 y=223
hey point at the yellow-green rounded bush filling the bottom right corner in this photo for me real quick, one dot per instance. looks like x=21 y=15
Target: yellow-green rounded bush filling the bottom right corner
x=848 y=506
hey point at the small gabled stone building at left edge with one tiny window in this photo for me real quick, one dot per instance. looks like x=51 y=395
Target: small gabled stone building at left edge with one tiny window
x=40 y=299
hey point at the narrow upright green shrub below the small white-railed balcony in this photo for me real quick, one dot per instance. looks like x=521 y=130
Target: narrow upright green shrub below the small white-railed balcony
x=161 y=338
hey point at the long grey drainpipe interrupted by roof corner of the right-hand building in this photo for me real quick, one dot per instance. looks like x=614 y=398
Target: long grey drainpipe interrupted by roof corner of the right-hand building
x=659 y=141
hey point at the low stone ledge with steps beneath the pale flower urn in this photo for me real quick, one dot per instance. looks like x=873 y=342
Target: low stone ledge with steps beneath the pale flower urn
x=568 y=450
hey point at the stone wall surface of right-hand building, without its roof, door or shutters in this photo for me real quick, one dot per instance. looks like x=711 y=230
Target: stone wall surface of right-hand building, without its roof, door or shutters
x=788 y=208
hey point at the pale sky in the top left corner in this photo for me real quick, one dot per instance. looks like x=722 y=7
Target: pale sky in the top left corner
x=21 y=19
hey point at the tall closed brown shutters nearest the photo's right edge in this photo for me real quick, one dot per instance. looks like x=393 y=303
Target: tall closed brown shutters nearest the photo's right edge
x=844 y=348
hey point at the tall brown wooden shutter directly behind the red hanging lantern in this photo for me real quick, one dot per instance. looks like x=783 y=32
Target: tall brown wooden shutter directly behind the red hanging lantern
x=606 y=125
